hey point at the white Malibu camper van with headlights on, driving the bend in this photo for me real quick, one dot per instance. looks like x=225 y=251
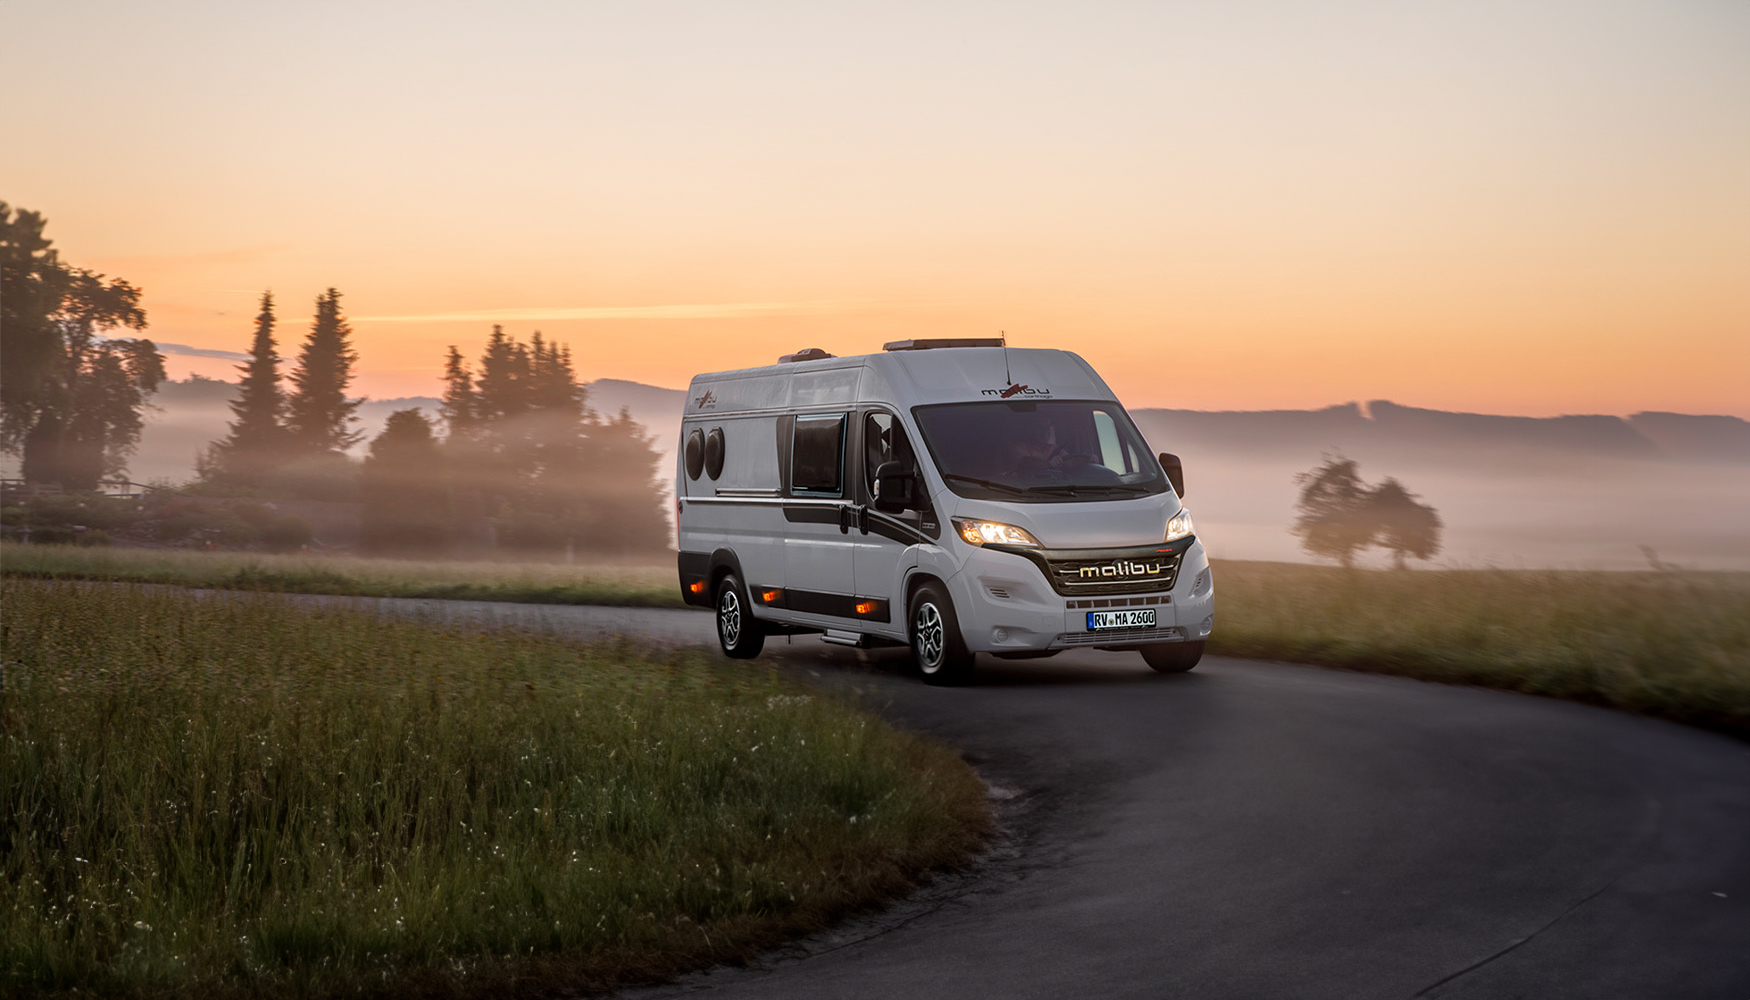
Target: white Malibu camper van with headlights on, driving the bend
x=956 y=496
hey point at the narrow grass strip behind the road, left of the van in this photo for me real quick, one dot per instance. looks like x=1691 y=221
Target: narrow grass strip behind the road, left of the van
x=647 y=586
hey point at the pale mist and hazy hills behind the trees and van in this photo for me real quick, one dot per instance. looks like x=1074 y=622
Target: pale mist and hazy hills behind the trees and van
x=1516 y=493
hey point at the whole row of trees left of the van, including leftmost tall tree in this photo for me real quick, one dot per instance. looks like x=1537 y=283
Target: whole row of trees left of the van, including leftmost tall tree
x=515 y=460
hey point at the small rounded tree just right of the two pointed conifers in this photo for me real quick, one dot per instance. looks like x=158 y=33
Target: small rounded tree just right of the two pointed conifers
x=403 y=488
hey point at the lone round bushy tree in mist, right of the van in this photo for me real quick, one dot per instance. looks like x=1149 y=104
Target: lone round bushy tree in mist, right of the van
x=1340 y=516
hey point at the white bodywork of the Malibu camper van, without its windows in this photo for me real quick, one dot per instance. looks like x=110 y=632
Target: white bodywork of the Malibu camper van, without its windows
x=827 y=556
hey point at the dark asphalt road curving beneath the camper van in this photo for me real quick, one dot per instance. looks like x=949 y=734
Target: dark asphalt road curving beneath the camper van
x=1263 y=831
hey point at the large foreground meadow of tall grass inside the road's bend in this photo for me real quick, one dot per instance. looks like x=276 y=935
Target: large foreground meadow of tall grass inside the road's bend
x=232 y=796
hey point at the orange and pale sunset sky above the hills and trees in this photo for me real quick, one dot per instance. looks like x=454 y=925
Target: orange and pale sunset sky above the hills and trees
x=1523 y=208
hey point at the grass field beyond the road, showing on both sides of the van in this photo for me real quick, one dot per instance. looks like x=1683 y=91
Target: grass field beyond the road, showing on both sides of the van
x=1676 y=645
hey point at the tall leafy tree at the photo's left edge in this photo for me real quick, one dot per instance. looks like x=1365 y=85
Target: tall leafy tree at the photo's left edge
x=71 y=398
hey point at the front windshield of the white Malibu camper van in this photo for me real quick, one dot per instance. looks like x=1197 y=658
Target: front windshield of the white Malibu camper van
x=1040 y=451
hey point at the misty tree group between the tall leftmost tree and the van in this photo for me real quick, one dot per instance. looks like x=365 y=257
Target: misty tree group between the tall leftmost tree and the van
x=515 y=460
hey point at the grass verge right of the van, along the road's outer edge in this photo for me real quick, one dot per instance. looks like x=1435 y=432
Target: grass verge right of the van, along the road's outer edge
x=1674 y=645
